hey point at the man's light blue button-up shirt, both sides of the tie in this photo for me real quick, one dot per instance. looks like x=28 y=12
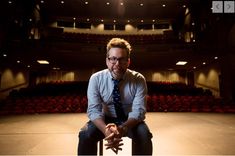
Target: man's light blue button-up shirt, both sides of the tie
x=133 y=90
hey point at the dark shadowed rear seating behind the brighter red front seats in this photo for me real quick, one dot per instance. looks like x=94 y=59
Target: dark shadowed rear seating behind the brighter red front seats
x=80 y=87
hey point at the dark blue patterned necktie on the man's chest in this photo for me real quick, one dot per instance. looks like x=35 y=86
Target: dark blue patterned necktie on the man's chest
x=117 y=101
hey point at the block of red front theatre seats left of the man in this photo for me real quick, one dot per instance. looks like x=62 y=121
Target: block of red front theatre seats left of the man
x=45 y=104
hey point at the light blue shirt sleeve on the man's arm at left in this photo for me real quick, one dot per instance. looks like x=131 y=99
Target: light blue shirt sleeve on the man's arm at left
x=94 y=109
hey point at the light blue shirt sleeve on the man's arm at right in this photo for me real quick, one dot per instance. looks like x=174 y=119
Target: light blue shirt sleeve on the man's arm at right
x=139 y=101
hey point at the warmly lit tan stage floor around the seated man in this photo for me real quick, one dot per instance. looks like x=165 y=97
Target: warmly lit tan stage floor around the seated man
x=173 y=134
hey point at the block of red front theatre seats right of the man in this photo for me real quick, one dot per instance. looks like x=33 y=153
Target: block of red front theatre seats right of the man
x=187 y=103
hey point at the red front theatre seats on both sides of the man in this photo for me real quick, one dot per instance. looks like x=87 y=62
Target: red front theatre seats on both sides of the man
x=74 y=103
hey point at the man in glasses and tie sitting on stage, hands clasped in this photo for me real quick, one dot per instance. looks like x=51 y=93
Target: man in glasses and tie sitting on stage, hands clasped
x=116 y=105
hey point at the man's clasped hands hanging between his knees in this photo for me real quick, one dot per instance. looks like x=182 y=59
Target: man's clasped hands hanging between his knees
x=113 y=136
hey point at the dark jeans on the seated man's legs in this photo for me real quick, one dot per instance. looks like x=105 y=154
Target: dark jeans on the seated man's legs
x=140 y=135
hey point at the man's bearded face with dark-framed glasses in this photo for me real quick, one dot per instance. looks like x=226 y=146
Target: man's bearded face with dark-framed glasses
x=117 y=62
